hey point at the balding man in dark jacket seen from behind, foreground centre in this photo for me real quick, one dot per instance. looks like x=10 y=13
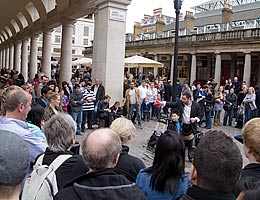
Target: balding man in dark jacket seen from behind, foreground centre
x=101 y=150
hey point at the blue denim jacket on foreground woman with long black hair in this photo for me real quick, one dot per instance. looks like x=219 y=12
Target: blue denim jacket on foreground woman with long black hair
x=143 y=182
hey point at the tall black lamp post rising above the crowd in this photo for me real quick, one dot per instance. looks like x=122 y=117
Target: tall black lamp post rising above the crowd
x=177 y=6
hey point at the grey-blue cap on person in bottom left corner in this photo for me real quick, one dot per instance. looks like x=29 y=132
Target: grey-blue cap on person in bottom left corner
x=14 y=156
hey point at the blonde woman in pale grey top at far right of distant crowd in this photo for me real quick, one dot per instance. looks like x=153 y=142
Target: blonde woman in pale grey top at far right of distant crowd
x=249 y=104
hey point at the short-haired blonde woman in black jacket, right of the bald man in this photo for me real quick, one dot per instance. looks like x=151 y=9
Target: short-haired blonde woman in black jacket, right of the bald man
x=127 y=165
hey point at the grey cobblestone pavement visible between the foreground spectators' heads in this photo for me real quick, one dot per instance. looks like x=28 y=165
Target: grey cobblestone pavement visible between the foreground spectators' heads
x=138 y=143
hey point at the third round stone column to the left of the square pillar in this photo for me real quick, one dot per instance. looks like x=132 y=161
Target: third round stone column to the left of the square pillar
x=33 y=55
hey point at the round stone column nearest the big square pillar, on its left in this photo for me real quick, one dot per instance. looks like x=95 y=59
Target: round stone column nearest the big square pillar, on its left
x=66 y=49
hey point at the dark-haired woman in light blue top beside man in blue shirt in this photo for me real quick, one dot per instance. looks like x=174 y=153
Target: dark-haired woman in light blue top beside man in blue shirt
x=35 y=121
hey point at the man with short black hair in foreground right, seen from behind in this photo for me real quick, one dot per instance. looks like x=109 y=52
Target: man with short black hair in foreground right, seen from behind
x=216 y=167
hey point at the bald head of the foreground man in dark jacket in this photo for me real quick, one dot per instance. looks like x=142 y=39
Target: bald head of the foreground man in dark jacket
x=101 y=149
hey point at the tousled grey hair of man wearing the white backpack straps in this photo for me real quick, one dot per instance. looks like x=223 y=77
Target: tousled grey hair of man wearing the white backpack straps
x=59 y=131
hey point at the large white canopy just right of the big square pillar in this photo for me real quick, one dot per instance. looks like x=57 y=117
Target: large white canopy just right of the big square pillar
x=139 y=61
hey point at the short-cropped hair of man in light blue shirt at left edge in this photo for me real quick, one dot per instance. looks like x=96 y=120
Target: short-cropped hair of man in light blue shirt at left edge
x=12 y=96
